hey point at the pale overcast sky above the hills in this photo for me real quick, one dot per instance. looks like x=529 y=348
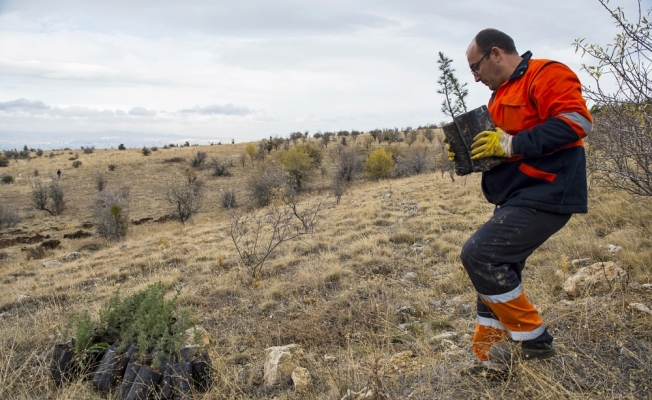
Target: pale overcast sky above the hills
x=250 y=69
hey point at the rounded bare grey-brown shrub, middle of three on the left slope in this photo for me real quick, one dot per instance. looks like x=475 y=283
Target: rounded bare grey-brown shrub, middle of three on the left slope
x=110 y=210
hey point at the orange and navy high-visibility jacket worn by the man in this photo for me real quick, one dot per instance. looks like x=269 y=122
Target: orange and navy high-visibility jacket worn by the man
x=541 y=105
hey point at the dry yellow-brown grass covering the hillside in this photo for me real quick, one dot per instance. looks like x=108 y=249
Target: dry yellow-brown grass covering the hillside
x=336 y=292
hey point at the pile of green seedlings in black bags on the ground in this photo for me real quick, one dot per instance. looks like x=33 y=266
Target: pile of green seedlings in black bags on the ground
x=152 y=354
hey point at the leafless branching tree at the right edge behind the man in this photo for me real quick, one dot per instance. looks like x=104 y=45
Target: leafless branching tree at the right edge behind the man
x=620 y=145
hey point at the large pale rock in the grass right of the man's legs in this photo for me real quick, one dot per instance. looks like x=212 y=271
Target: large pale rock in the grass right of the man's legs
x=594 y=278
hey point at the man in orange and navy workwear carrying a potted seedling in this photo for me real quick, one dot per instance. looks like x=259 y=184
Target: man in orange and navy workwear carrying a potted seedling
x=541 y=118
